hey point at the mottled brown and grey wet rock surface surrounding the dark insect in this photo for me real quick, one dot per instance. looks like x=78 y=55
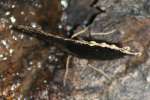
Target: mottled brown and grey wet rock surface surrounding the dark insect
x=34 y=69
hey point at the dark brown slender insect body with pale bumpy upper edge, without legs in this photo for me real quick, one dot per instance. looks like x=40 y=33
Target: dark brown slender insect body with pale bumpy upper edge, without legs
x=82 y=49
